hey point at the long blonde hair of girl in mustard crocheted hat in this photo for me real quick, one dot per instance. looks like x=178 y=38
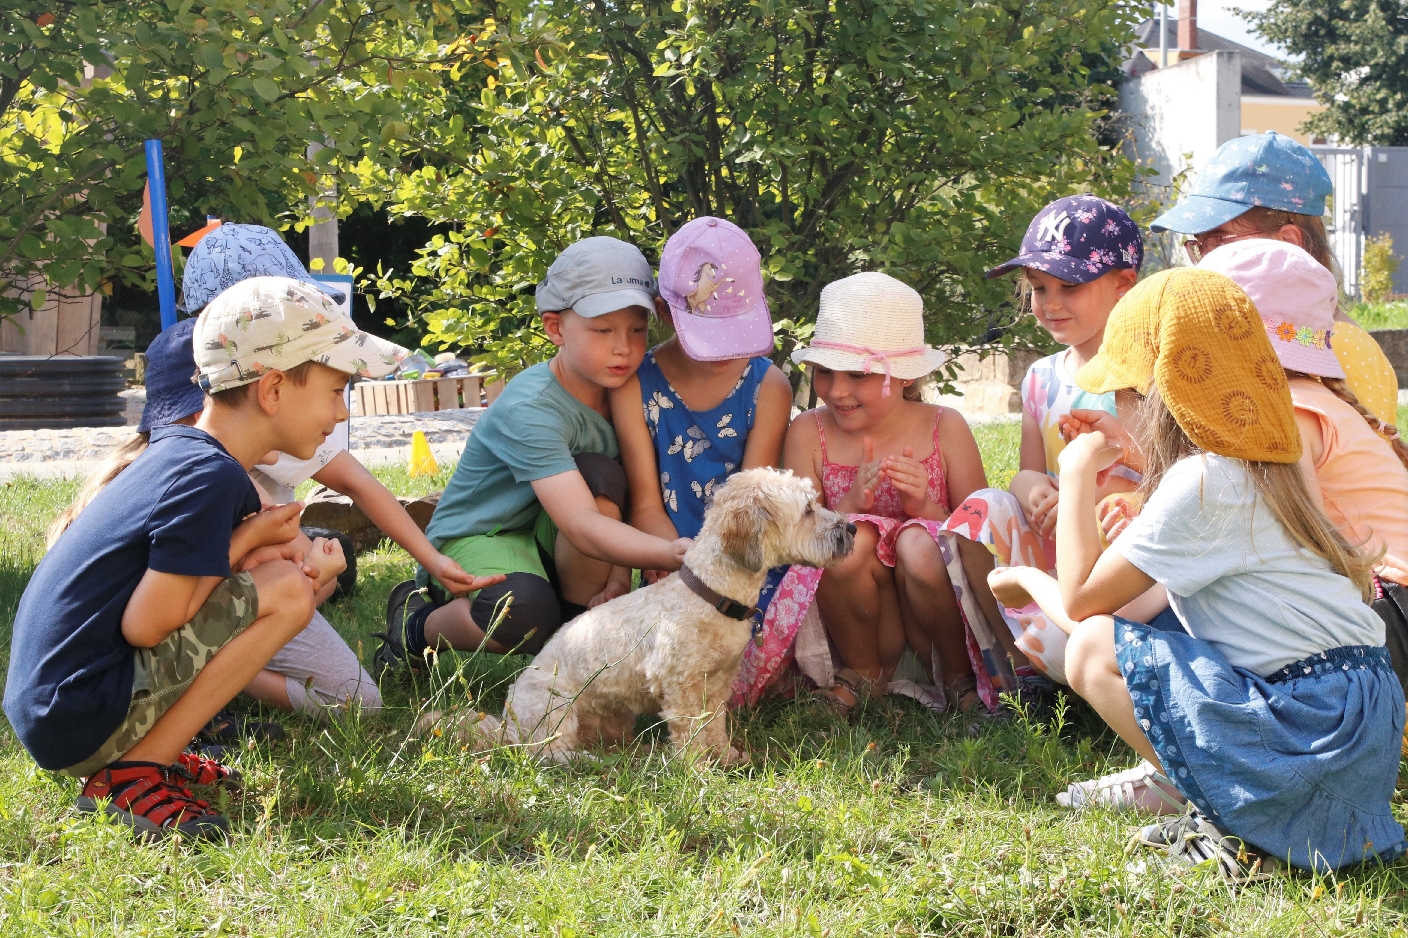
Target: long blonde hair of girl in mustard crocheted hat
x=1281 y=487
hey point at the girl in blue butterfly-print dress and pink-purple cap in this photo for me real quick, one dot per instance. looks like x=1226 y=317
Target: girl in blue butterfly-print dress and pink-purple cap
x=708 y=402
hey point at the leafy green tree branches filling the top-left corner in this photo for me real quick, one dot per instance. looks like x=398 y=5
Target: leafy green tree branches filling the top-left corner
x=236 y=89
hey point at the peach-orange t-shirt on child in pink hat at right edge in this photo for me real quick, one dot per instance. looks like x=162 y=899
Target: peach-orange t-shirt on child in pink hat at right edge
x=1364 y=484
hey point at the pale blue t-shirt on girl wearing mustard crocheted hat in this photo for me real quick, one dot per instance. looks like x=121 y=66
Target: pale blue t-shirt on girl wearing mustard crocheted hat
x=1236 y=578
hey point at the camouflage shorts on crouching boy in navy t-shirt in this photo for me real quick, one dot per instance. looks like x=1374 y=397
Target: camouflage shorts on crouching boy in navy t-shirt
x=163 y=674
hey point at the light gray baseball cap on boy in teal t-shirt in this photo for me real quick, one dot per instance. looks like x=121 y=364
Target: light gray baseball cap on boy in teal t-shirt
x=596 y=277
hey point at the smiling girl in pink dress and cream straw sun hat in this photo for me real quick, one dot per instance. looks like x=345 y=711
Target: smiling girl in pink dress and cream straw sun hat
x=895 y=465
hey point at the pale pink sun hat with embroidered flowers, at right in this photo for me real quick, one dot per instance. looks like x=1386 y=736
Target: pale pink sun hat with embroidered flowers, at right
x=1296 y=296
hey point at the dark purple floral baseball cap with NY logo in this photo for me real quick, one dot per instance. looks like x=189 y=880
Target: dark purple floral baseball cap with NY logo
x=1079 y=239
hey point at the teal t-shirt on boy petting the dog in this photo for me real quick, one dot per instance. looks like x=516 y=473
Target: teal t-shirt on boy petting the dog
x=532 y=432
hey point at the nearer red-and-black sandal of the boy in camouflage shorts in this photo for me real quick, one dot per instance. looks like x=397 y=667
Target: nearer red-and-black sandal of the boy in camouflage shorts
x=146 y=798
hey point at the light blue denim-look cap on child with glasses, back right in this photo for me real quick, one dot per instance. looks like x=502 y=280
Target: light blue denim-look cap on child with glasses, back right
x=1259 y=171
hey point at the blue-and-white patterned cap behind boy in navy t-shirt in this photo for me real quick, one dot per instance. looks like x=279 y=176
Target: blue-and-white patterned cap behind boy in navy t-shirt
x=232 y=254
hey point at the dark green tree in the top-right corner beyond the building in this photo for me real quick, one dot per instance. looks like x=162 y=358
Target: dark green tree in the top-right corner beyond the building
x=1355 y=56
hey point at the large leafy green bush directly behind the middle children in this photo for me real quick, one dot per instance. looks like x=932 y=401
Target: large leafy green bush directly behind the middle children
x=910 y=136
